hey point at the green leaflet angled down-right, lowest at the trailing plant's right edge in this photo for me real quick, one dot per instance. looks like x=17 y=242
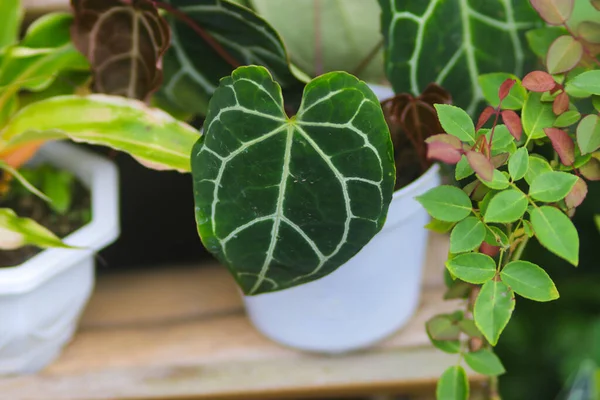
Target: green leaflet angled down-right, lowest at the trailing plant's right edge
x=556 y=232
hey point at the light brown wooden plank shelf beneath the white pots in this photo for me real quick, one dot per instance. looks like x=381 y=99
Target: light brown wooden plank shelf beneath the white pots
x=180 y=332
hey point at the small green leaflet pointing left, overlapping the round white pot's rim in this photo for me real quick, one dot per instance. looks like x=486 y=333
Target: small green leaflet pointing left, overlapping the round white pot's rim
x=446 y=203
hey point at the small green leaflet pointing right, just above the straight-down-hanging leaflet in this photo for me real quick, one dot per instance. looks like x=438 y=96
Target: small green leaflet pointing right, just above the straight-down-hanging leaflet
x=529 y=281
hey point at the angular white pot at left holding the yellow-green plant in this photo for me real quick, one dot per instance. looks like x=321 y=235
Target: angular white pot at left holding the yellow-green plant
x=42 y=299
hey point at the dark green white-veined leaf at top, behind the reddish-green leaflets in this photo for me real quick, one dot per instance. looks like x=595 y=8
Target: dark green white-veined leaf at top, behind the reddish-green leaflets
x=420 y=50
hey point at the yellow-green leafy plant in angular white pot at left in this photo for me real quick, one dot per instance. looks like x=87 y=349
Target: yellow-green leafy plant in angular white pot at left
x=42 y=293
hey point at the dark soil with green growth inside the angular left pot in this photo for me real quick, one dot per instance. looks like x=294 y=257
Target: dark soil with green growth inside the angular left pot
x=71 y=208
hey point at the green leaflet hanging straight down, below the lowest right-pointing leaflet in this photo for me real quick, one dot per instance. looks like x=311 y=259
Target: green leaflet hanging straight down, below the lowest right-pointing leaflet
x=493 y=308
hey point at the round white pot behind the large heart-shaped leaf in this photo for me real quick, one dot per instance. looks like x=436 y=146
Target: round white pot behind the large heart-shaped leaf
x=365 y=300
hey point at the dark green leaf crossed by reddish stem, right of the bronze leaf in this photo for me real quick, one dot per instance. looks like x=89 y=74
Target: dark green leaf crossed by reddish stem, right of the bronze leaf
x=232 y=35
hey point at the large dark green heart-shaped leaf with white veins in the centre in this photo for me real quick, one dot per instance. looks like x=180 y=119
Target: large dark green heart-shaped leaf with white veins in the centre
x=306 y=193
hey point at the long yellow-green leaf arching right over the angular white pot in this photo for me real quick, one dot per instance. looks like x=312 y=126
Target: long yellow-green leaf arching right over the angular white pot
x=151 y=136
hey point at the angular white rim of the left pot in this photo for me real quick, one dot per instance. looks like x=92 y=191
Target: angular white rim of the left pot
x=101 y=177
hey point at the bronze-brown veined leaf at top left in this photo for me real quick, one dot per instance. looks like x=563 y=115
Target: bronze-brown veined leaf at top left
x=124 y=44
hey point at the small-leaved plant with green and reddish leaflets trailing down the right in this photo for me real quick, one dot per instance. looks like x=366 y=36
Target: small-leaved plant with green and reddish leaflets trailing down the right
x=515 y=194
